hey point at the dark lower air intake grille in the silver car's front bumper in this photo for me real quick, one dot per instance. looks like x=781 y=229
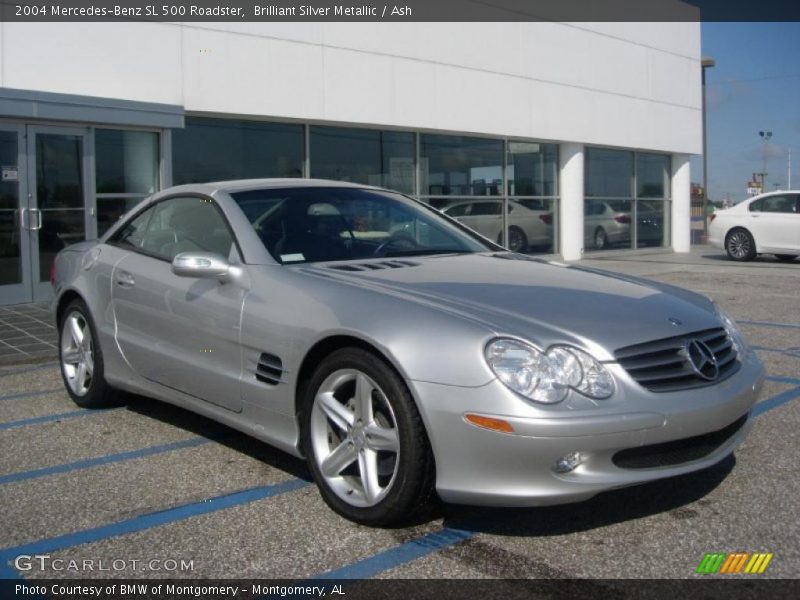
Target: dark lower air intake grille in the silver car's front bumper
x=678 y=452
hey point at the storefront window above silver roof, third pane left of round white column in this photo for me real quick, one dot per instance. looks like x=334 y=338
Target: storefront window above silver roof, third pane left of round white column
x=373 y=157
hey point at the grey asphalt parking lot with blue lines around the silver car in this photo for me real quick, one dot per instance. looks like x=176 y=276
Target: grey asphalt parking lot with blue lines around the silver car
x=171 y=494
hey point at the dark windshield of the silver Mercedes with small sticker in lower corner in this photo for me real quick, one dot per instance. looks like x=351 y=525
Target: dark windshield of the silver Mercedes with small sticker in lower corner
x=317 y=224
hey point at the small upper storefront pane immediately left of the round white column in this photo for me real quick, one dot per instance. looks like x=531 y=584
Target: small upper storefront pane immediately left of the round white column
x=532 y=169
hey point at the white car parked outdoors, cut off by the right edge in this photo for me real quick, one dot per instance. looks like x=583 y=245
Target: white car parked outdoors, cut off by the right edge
x=765 y=224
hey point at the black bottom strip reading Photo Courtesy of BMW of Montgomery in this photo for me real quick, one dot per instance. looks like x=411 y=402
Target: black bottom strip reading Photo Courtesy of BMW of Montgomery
x=734 y=588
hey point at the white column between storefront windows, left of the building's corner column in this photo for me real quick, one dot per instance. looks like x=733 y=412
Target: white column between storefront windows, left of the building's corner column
x=570 y=158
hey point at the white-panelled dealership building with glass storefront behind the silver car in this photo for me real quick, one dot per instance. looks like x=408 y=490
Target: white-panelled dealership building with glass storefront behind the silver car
x=563 y=139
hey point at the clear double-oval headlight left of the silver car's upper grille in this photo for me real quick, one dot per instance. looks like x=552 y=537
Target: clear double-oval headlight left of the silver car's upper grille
x=547 y=376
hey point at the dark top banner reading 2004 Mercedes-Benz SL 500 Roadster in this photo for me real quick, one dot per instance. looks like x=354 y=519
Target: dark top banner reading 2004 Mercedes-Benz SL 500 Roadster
x=403 y=11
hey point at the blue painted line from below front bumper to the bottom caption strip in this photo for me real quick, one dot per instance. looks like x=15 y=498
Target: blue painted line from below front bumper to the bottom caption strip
x=399 y=555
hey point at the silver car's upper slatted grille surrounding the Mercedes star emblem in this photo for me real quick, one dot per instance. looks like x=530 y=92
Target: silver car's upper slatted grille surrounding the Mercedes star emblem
x=664 y=366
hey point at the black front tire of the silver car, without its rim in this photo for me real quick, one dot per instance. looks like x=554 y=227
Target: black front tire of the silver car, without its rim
x=414 y=481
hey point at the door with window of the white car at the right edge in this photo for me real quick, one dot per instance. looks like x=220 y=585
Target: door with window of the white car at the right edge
x=775 y=223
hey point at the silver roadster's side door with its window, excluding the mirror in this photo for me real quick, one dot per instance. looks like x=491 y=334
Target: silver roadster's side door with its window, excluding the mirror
x=180 y=332
